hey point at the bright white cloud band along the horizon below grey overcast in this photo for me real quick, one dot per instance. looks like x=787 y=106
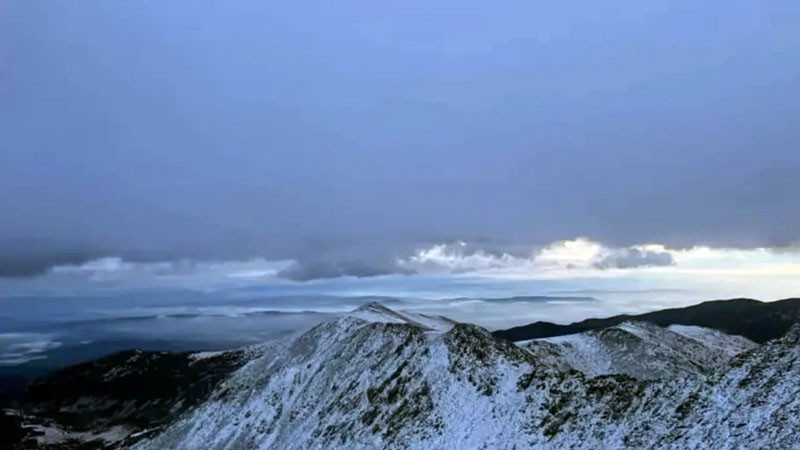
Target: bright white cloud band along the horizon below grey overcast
x=575 y=258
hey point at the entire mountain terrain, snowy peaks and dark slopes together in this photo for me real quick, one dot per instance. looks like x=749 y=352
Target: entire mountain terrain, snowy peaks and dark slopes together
x=386 y=379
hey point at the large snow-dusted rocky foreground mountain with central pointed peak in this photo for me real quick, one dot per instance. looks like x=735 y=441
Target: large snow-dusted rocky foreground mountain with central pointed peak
x=355 y=383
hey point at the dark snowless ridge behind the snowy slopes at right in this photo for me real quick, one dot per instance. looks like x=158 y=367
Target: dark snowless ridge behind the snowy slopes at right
x=755 y=320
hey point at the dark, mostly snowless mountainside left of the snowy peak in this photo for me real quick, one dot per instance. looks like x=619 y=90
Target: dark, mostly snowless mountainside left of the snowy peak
x=134 y=389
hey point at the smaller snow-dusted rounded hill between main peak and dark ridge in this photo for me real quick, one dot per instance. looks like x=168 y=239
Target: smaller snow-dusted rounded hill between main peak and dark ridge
x=639 y=349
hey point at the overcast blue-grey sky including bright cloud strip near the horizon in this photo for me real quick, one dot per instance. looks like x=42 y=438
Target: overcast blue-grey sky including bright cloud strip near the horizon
x=147 y=142
